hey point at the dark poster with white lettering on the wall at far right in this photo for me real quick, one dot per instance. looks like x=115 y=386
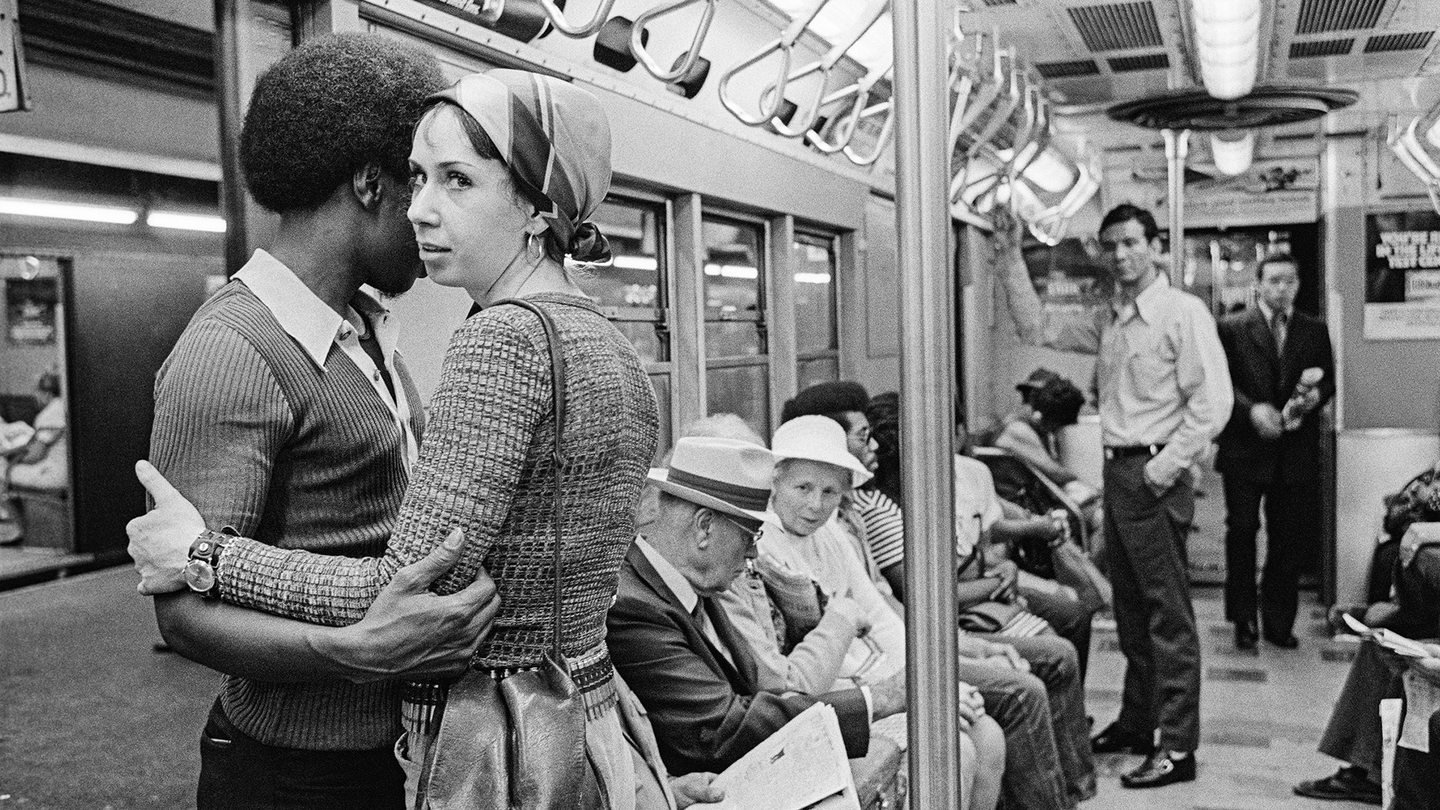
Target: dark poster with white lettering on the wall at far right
x=1403 y=276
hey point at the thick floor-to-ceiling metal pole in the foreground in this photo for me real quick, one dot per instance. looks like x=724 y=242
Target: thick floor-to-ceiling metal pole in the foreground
x=928 y=383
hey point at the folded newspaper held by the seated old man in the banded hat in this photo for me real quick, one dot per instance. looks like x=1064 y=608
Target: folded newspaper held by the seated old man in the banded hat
x=800 y=767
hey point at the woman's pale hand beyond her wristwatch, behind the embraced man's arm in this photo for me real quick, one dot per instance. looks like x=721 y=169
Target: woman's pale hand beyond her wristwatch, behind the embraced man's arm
x=161 y=540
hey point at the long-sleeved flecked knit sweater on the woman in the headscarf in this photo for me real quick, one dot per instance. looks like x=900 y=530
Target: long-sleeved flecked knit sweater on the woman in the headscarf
x=486 y=468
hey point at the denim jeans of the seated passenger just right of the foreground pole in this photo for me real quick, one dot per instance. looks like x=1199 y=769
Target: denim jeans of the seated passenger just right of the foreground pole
x=1048 y=756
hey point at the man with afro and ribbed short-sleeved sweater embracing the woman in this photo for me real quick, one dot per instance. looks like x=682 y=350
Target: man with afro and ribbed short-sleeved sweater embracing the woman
x=286 y=414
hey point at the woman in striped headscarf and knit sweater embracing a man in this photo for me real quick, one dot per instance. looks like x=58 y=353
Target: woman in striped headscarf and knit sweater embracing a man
x=506 y=169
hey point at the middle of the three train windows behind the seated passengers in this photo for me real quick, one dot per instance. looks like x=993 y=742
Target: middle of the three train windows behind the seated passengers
x=737 y=348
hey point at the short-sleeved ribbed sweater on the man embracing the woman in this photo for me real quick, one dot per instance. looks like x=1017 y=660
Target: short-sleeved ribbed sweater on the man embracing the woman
x=261 y=440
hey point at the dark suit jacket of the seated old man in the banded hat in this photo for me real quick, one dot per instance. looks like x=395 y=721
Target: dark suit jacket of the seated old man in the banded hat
x=706 y=711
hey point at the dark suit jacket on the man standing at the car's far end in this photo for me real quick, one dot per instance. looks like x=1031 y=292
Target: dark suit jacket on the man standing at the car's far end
x=1261 y=375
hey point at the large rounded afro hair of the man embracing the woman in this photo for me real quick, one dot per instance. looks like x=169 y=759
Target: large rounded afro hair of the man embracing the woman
x=330 y=107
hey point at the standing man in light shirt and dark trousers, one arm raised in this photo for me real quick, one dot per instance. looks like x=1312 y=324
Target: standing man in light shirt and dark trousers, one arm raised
x=1164 y=394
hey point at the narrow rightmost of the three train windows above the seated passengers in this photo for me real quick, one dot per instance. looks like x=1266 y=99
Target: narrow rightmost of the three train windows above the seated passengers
x=817 y=335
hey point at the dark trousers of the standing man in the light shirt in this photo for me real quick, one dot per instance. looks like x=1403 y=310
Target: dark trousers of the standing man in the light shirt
x=1154 y=618
